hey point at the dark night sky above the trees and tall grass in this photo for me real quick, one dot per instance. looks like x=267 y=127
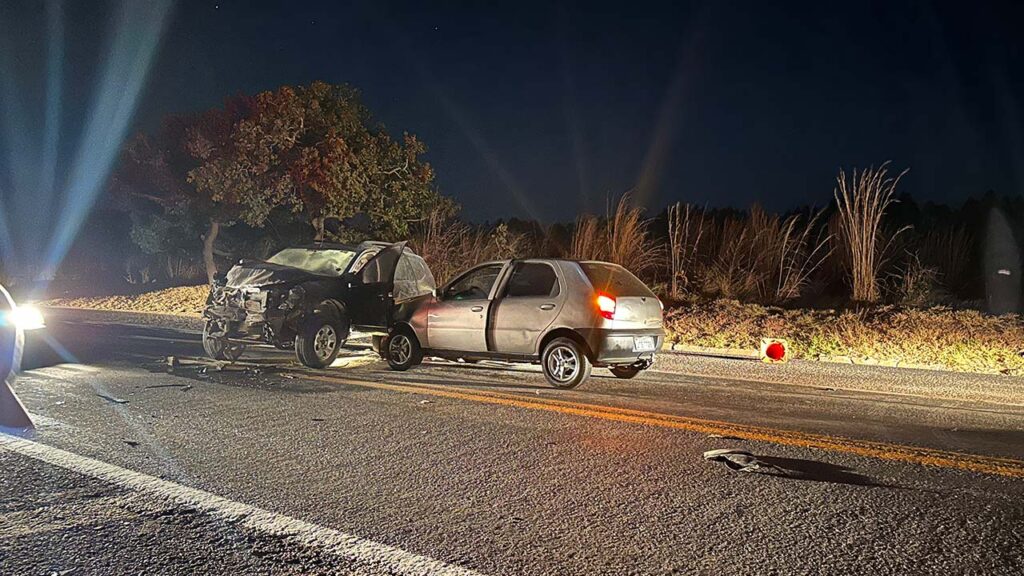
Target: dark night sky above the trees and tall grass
x=543 y=110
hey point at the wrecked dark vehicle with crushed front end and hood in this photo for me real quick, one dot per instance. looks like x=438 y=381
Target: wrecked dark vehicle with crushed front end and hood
x=311 y=298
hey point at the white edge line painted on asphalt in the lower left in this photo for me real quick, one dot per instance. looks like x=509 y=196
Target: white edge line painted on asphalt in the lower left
x=364 y=553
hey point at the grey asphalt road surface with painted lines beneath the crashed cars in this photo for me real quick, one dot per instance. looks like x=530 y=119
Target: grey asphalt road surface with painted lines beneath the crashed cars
x=139 y=467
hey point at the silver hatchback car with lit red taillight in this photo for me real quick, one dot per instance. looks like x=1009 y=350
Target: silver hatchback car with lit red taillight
x=568 y=316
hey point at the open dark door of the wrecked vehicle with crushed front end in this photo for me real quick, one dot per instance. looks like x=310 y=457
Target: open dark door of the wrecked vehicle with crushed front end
x=372 y=296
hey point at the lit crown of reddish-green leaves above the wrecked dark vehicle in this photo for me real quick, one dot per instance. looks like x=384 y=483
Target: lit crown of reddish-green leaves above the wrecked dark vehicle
x=316 y=150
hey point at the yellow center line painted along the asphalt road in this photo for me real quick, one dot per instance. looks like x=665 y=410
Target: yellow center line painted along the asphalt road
x=881 y=450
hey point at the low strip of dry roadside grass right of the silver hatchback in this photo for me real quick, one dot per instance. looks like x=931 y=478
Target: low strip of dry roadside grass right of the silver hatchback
x=965 y=341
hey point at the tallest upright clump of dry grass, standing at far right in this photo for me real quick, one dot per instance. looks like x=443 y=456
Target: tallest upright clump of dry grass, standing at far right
x=863 y=202
